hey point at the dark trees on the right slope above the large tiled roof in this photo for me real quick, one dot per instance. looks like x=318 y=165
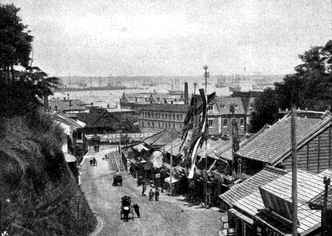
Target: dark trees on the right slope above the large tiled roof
x=309 y=87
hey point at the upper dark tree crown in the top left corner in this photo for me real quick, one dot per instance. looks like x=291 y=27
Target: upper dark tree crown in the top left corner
x=15 y=41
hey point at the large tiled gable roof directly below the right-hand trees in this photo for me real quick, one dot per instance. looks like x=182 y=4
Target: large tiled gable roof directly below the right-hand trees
x=273 y=143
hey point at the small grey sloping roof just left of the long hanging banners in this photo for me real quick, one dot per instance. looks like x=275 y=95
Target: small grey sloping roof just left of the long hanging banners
x=162 y=138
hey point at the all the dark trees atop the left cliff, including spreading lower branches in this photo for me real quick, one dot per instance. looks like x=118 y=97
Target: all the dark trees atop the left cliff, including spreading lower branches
x=21 y=91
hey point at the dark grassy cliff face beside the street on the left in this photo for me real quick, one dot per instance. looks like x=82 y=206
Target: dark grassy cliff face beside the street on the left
x=38 y=193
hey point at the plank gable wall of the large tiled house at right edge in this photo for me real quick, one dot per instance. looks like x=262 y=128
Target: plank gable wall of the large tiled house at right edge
x=316 y=155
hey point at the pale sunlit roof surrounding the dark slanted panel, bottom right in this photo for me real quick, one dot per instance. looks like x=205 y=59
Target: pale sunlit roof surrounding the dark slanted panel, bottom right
x=309 y=185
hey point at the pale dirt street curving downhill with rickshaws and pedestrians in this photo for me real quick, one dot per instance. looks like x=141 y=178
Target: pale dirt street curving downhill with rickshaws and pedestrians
x=171 y=215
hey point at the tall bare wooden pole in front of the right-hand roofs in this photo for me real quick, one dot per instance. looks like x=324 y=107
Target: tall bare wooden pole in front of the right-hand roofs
x=294 y=171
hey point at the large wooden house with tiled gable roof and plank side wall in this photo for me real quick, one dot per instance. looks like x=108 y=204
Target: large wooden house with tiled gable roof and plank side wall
x=272 y=145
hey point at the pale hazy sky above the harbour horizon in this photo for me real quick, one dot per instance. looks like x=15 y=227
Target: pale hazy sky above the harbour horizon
x=164 y=37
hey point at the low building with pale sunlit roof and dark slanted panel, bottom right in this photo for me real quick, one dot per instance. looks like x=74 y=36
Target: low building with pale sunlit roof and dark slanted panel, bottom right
x=267 y=210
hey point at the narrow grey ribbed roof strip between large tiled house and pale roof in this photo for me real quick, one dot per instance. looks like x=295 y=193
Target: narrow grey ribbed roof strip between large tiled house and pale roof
x=251 y=185
